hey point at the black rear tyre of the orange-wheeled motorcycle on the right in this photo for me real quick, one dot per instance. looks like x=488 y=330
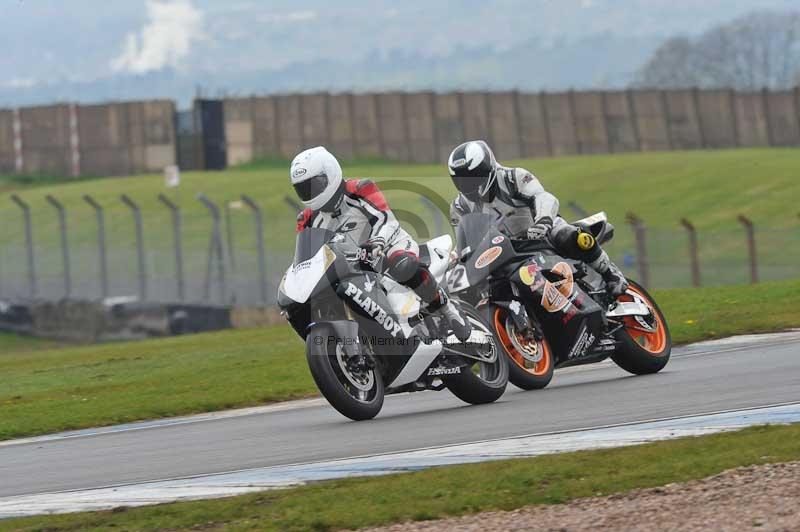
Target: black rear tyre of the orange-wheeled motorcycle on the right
x=640 y=358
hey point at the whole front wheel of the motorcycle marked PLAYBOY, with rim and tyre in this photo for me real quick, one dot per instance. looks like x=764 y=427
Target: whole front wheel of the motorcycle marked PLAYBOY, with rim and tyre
x=349 y=385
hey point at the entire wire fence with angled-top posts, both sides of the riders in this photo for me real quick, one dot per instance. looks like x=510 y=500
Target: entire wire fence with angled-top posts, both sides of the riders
x=227 y=253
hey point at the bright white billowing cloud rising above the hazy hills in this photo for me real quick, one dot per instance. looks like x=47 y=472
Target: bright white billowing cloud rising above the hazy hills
x=172 y=27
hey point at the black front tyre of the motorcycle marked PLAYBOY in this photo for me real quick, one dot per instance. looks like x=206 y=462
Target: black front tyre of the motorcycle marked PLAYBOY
x=325 y=369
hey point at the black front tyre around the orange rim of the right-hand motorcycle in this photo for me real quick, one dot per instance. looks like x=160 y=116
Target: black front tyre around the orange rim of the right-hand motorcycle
x=527 y=378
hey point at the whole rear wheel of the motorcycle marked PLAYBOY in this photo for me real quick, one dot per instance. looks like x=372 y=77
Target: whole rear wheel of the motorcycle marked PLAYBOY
x=481 y=382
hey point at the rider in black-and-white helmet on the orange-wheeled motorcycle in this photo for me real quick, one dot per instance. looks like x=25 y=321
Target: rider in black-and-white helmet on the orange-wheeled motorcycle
x=531 y=212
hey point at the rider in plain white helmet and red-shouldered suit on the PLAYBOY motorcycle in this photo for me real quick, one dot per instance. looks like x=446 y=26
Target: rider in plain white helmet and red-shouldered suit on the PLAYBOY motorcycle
x=358 y=208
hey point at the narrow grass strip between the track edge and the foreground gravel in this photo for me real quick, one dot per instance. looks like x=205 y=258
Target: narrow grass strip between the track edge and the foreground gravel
x=450 y=491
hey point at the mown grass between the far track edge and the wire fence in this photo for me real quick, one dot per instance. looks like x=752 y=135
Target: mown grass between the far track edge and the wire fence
x=48 y=390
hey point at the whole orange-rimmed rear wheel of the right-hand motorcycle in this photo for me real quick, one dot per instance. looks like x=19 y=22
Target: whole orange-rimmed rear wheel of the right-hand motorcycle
x=645 y=340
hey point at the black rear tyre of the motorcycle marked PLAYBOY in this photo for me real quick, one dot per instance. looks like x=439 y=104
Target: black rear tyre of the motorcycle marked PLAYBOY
x=475 y=389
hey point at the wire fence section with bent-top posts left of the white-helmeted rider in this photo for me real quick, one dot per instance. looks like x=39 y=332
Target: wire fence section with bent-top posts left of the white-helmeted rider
x=220 y=254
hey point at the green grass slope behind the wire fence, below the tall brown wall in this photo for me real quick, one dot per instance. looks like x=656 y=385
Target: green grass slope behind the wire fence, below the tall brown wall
x=709 y=187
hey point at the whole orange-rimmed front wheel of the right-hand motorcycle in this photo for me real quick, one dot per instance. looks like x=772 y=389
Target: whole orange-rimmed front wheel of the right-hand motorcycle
x=531 y=362
